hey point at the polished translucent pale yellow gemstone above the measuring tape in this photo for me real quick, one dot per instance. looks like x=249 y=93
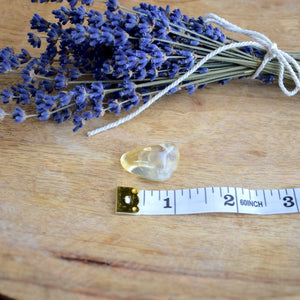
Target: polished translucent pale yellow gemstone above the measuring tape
x=156 y=162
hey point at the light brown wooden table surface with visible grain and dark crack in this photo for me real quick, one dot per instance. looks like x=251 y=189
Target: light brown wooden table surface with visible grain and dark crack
x=60 y=238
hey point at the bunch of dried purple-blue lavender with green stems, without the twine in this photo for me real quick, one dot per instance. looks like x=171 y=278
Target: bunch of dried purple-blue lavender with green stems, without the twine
x=96 y=63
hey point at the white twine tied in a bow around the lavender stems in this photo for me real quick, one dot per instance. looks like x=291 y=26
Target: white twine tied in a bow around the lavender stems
x=260 y=42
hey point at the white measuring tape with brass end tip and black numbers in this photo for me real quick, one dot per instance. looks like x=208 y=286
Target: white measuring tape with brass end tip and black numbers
x=133 y=201
